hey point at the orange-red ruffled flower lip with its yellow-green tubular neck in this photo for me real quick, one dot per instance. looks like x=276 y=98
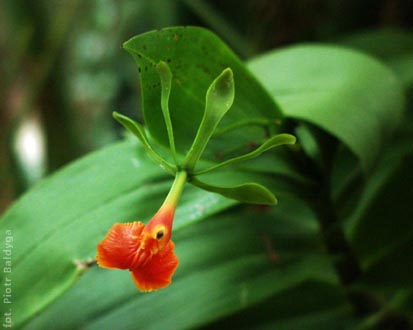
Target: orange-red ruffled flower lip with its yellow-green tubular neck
x=146 y=251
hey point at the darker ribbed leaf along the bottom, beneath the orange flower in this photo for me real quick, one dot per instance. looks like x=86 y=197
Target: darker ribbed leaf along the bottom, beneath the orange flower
x=227 y=263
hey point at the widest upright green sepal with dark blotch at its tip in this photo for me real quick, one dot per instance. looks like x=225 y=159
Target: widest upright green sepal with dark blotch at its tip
x=219 y=99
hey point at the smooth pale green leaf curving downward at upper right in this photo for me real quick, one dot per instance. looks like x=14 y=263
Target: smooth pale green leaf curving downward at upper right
x=350 y=95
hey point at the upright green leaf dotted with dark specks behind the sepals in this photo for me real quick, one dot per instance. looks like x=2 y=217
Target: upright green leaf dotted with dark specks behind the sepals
x=196 y=57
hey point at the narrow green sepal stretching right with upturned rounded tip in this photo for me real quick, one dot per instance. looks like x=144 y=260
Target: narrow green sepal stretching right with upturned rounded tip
x=272 y=142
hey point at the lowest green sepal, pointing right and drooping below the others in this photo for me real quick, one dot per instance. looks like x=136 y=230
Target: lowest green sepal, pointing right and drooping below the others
x=252 y=193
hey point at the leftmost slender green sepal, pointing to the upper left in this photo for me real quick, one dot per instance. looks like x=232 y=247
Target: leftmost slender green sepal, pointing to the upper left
x=136 y=129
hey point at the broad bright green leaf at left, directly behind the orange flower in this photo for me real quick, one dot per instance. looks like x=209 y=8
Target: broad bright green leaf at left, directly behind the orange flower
x=61 y=220
